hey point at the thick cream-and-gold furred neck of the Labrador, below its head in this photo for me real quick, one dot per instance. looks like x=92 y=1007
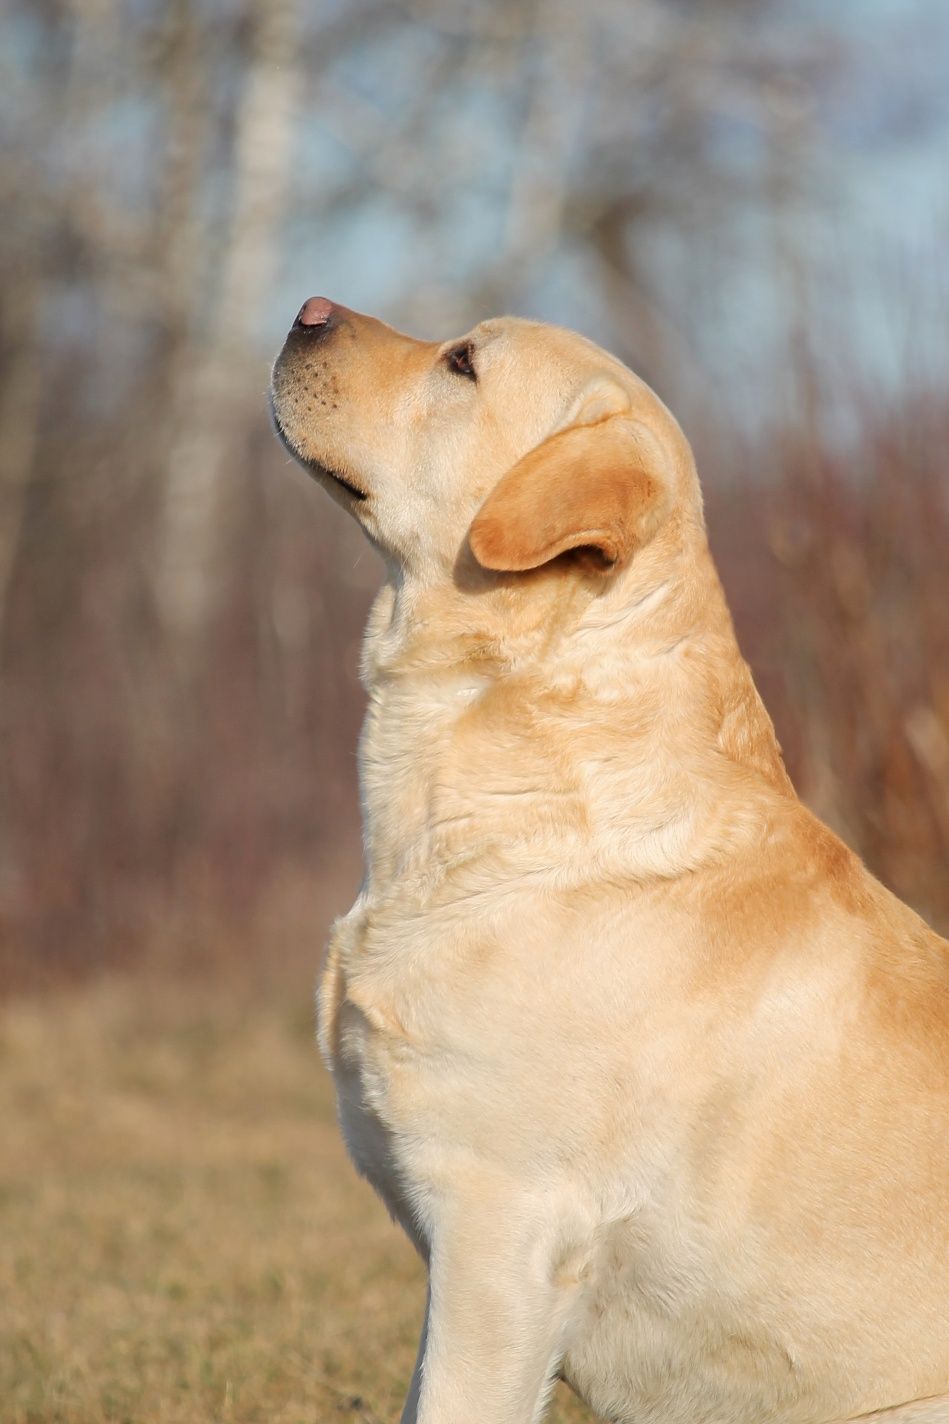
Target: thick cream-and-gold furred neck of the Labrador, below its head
x=618 y=718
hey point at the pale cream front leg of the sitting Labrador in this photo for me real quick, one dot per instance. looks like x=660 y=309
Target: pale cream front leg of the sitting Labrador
x=498 y=1312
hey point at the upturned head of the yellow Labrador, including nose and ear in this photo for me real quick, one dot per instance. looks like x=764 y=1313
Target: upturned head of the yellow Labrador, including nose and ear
x=508 y=449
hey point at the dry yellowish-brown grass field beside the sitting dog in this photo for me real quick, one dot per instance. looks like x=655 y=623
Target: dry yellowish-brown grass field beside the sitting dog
x=182 y=1237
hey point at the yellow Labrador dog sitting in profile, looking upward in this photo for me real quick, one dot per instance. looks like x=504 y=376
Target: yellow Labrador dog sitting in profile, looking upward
x=650 y=1069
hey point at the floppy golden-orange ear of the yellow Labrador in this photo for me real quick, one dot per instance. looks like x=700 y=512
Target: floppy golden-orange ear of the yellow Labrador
x=595 y=485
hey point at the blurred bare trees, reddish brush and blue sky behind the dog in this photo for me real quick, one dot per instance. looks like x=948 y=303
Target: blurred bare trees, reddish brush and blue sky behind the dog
x=747 y=201
